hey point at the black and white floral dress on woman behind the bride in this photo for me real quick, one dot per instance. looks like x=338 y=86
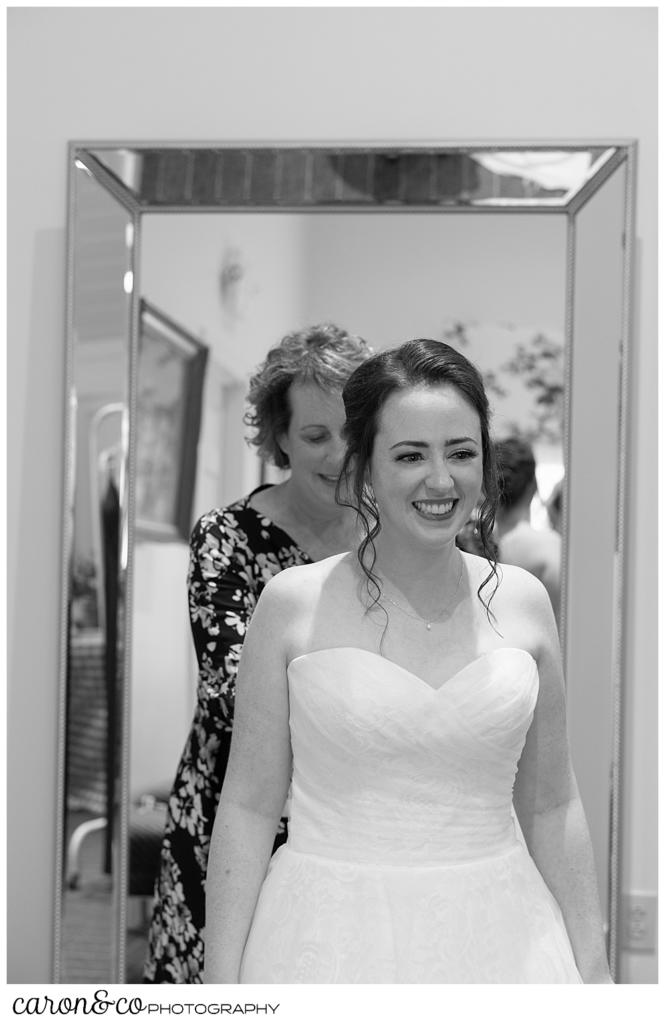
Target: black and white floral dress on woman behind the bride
x=235 y=551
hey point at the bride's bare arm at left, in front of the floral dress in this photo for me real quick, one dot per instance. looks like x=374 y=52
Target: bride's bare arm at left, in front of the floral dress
x=255 y=791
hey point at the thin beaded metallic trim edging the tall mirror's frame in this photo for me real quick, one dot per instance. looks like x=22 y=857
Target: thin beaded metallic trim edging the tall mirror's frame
x=624 y=152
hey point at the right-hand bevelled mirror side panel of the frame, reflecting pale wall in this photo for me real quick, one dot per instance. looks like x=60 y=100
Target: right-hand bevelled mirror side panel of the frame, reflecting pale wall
x=594 y=599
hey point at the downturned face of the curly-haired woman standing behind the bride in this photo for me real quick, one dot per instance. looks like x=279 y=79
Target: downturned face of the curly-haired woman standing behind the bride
x=314 y=441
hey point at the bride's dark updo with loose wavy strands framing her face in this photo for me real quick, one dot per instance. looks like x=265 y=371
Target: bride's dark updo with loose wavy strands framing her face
x=422 y=363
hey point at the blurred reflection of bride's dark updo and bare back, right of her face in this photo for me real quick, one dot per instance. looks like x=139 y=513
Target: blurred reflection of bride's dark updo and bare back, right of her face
x=538 y=551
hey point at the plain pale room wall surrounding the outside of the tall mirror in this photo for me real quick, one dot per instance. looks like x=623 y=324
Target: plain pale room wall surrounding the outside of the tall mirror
x=258 y=74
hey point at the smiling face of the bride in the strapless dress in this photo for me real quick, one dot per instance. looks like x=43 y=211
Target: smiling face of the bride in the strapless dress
x=427 y=467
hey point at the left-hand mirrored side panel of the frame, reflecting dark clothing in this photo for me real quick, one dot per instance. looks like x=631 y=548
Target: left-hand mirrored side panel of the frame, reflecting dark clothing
x=101 y=376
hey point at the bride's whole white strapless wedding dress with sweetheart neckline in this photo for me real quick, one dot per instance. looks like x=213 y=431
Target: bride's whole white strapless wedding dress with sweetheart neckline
x=403 y=863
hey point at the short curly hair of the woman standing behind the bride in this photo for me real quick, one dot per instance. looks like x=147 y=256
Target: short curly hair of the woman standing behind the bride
x=324 y=355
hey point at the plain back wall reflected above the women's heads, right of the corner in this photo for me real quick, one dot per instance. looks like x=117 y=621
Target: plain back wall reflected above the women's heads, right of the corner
x=394 y=278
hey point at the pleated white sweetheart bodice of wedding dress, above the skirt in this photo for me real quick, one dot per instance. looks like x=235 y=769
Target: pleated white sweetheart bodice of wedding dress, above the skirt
x=389 y=771
